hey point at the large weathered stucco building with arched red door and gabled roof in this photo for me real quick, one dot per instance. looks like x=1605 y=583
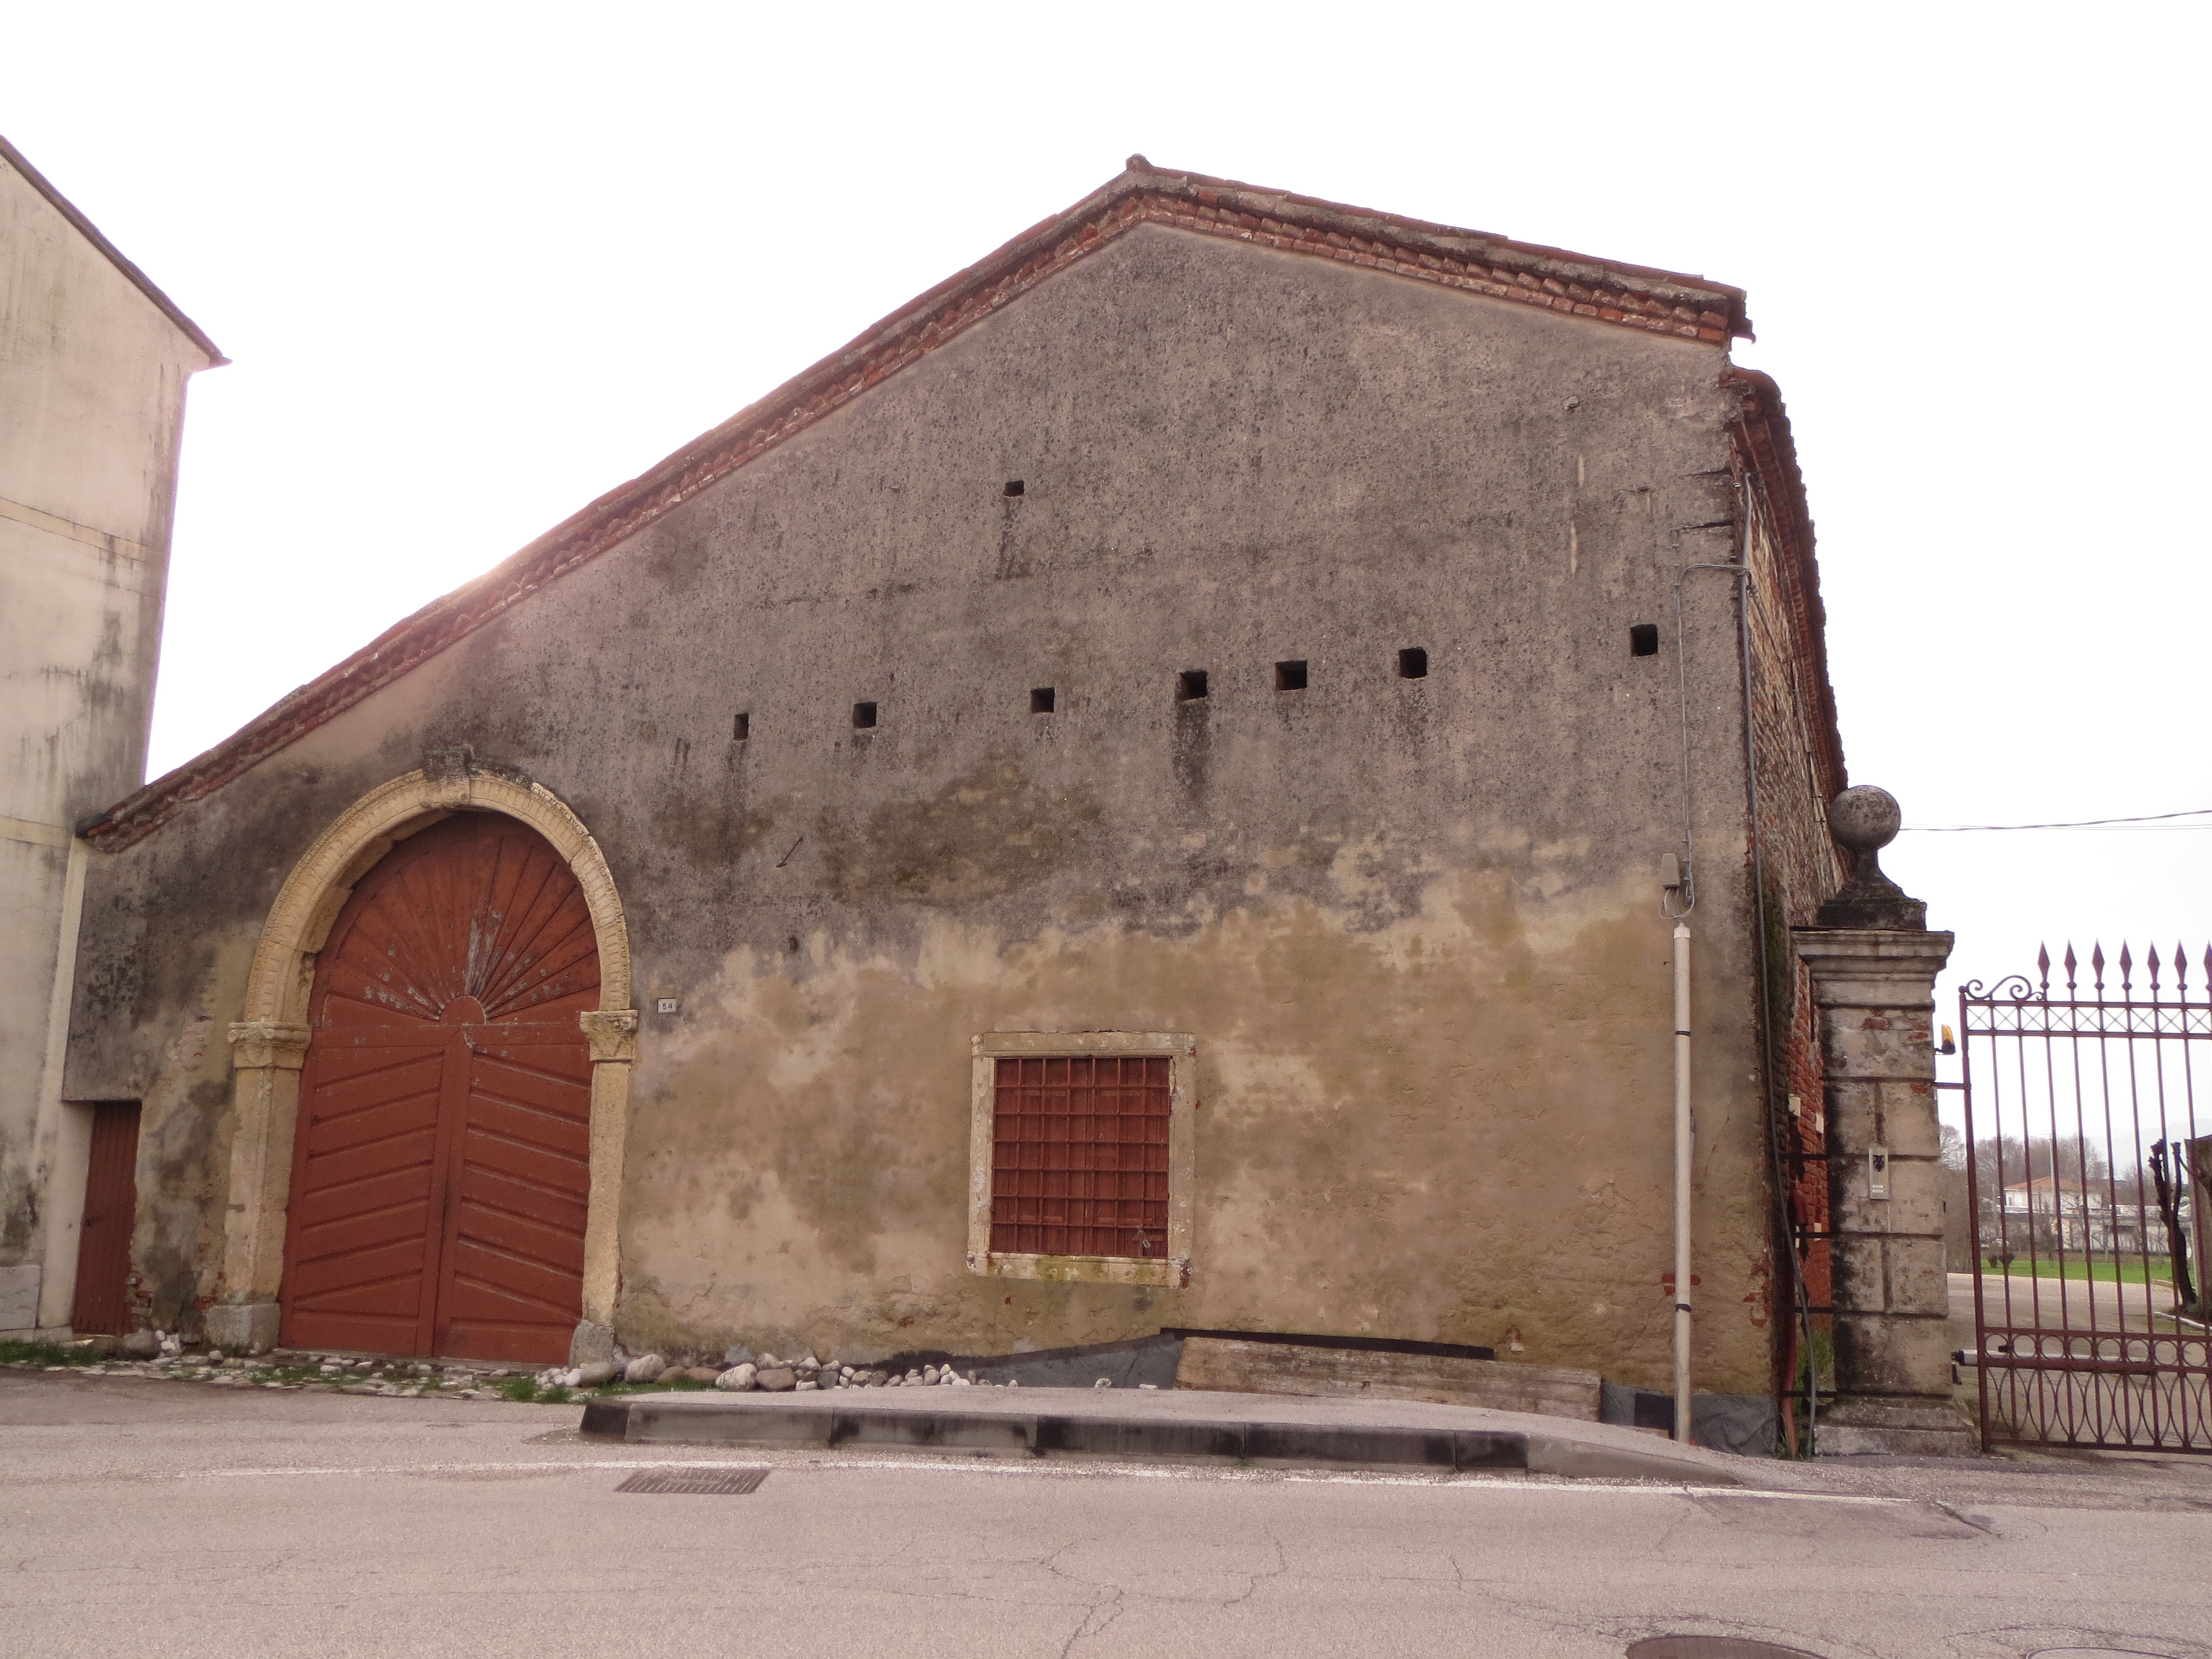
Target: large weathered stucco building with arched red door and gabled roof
x=1127 y=797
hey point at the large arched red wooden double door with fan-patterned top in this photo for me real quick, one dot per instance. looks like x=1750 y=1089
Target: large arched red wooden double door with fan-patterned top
x=444 y=1154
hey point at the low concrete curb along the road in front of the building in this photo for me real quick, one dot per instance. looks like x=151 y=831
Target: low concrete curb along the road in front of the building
x=689 y=1419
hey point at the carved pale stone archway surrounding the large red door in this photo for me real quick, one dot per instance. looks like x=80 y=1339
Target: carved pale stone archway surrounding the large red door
x=271 y=1041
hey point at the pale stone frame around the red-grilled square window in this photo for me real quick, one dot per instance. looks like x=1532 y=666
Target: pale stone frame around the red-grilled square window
x=1180 y=1050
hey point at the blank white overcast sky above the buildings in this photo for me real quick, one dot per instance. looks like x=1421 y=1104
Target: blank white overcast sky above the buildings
x=479 y=264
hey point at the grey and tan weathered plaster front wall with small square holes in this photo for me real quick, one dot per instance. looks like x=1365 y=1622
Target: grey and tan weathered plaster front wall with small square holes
x=1410 y=921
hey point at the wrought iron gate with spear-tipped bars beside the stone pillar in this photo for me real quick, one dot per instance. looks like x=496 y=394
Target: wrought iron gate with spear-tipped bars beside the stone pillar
x=2089 y=1187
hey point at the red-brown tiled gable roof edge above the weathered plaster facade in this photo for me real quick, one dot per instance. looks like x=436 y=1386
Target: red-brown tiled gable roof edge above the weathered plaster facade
x=1638 y=298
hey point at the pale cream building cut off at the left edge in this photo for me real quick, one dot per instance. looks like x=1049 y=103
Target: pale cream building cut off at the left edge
x=94 y=364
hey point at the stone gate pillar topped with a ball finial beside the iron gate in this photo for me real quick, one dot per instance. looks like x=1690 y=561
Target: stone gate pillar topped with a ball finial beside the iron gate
x=1875 y=970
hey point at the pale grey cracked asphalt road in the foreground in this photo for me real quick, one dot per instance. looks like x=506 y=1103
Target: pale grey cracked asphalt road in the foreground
x=185 y=1521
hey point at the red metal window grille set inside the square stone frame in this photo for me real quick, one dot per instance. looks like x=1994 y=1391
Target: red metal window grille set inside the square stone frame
x=1081 y=1156
